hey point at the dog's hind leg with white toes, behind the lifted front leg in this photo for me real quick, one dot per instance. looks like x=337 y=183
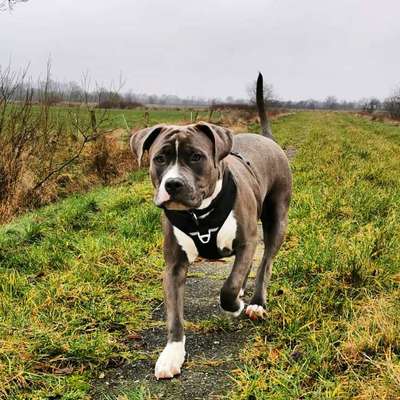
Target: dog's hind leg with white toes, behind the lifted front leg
x=274 y=222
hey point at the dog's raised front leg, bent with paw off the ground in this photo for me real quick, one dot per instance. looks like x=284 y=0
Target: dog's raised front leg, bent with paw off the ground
x=231 y=290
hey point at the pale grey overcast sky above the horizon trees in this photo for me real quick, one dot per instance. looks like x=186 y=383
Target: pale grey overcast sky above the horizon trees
x=212 y=48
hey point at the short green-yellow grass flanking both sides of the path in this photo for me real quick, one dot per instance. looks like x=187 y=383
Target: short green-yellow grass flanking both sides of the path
x=78 y=279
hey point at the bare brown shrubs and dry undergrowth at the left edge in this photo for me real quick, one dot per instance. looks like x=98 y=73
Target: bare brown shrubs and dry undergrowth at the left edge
x=41 y=144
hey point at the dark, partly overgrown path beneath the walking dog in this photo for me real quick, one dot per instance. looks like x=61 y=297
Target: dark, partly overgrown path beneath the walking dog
x=213 y=340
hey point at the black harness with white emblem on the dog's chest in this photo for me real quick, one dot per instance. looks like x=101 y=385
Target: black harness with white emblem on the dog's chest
x=203 y=225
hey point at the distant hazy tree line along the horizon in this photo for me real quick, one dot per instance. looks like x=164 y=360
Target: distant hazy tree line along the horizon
x=102 y=97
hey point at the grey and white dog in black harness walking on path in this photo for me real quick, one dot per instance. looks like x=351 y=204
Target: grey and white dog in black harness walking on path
x=214 y=187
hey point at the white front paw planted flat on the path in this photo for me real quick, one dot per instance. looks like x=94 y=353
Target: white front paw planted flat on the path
x=170 y=361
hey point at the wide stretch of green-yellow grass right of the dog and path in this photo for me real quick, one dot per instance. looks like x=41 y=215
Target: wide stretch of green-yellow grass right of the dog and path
x=333 y=328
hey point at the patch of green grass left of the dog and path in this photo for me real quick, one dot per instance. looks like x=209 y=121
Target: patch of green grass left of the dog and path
x=76 y=279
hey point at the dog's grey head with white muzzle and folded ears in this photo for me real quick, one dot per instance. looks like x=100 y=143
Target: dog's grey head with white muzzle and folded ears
x=185 y=162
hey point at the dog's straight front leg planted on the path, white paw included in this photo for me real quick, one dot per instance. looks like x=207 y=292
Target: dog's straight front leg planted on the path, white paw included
x=172 y=357
